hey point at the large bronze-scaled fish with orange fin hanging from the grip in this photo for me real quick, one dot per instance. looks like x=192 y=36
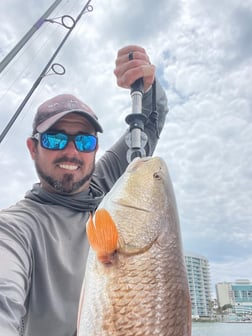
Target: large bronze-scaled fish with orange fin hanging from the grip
x=135 y=281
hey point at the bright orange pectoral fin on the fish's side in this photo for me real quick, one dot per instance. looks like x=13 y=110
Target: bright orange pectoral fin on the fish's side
x=102 y=234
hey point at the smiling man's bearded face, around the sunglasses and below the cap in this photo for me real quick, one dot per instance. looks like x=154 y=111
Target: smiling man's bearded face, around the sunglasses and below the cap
x=68 y=170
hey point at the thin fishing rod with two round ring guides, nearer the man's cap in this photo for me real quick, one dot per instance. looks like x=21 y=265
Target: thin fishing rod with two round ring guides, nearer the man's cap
x=47 y=68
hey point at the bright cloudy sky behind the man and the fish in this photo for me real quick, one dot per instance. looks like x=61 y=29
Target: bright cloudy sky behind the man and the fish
x=202 y=51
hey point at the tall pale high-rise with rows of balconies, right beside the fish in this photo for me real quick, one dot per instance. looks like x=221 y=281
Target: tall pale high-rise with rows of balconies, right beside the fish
x=198 y=275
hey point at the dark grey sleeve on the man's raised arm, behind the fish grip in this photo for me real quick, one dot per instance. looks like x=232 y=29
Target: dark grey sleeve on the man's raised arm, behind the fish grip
x=114 y=162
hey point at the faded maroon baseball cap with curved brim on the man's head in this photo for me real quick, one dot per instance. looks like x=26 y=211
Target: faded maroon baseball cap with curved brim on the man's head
x=57 y=107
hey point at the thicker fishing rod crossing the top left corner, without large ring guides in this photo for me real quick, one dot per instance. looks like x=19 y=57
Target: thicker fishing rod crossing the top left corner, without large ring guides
x=9 y=57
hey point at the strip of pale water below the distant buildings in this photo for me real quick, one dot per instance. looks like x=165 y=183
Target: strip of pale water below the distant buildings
x=221 y=329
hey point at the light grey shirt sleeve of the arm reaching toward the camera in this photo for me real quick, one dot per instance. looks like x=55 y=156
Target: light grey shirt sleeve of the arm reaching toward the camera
x=15 y=266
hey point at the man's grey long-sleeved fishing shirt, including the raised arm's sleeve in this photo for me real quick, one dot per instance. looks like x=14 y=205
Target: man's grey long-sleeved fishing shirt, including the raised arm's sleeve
x=43 y=248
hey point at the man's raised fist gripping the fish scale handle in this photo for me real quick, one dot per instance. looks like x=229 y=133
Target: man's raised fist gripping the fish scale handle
x=127 y=71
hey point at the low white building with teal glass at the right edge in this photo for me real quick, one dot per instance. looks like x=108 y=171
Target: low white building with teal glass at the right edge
x=237 y=294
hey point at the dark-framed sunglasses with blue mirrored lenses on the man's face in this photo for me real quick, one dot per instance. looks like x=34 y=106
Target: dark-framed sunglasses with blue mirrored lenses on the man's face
x=59 y=140
